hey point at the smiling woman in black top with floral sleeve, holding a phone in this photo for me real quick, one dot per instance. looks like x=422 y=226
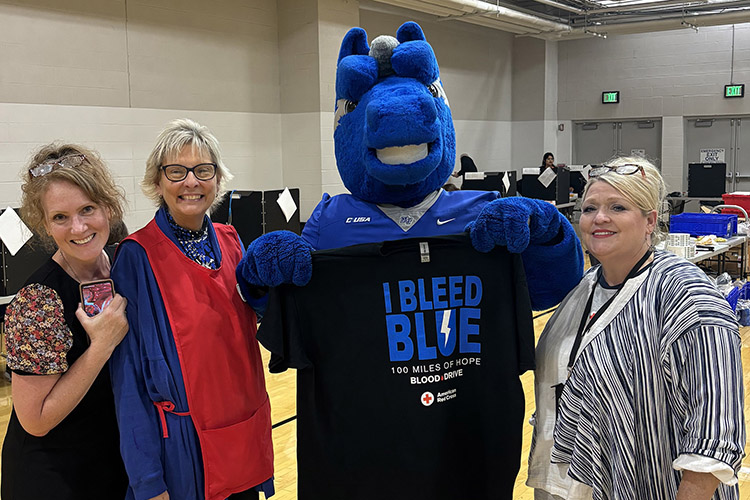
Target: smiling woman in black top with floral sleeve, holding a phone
x=62 y=440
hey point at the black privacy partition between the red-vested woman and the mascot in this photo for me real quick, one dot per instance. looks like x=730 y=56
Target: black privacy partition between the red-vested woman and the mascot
x=253 y=213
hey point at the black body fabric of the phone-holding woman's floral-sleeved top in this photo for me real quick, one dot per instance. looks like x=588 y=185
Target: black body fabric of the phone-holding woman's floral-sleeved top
x=79 y=459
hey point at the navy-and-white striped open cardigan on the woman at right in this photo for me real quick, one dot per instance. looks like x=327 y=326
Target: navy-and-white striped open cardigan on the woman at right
x=658 y=377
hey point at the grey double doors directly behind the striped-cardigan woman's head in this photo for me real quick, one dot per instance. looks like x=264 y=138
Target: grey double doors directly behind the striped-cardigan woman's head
x=596 y=142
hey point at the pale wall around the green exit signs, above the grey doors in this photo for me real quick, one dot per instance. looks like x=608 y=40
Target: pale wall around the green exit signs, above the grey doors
x=674 y=75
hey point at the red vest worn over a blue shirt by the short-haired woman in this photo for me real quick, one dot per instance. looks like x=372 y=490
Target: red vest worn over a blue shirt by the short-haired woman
x=214 y=331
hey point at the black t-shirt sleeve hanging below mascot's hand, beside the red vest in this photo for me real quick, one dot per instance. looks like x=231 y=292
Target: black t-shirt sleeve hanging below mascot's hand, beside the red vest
x=281 y=331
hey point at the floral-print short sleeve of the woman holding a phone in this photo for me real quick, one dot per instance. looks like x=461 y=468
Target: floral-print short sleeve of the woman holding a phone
x=37 y=337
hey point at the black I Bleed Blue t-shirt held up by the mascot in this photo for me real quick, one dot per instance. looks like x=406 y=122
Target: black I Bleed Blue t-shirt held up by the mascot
x=408 y=372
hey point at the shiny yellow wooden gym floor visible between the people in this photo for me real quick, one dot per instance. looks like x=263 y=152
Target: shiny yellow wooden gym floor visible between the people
x=282 y=389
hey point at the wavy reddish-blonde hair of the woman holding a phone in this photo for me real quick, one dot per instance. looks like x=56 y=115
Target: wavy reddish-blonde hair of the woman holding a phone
x=92 y=176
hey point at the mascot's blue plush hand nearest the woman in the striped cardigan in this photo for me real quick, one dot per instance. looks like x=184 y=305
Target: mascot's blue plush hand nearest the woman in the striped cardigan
x=514 y=222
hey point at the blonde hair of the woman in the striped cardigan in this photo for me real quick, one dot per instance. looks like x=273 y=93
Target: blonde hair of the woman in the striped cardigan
x=645 y=192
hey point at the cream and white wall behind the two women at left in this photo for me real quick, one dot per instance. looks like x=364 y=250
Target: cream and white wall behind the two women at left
x=110 y=77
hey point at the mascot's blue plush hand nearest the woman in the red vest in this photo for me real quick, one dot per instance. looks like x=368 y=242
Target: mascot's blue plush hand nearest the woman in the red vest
x=277 y=258
